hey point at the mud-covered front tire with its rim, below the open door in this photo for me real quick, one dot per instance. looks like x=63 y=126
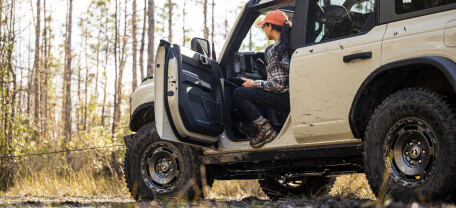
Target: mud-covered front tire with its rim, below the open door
x=158 y=169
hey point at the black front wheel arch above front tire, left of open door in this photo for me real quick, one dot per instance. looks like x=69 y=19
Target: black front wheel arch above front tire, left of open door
x=142 y=115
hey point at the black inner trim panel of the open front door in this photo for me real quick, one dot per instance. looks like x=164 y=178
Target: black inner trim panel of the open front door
x=199 y=92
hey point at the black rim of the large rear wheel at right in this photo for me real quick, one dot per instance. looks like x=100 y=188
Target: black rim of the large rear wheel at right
x=411 y=152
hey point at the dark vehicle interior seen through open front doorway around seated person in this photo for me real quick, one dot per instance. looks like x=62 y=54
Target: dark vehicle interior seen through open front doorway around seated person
x=250 y=61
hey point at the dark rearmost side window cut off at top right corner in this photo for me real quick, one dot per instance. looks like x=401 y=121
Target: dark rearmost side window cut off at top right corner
x=406 y=6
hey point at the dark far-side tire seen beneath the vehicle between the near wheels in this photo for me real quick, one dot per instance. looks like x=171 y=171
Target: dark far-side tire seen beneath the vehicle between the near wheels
x=311 y=186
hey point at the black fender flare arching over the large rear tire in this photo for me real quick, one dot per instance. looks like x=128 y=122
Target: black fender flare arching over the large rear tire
x=444 y=65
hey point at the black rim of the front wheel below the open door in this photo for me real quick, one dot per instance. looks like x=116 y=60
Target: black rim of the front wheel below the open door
x=160 y=167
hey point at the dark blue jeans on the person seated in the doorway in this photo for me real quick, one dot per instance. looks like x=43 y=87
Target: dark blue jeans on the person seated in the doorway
x=249 y=99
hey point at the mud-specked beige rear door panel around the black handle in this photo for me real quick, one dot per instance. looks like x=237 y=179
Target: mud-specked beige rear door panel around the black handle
x=323 y=86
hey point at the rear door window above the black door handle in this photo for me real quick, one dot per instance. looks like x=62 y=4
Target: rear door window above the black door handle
x=330 y=19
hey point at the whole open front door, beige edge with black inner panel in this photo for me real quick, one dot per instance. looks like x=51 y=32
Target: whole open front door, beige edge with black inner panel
x=188 y=96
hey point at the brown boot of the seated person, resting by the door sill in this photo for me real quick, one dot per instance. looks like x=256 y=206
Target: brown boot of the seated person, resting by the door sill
x=265 y=133
